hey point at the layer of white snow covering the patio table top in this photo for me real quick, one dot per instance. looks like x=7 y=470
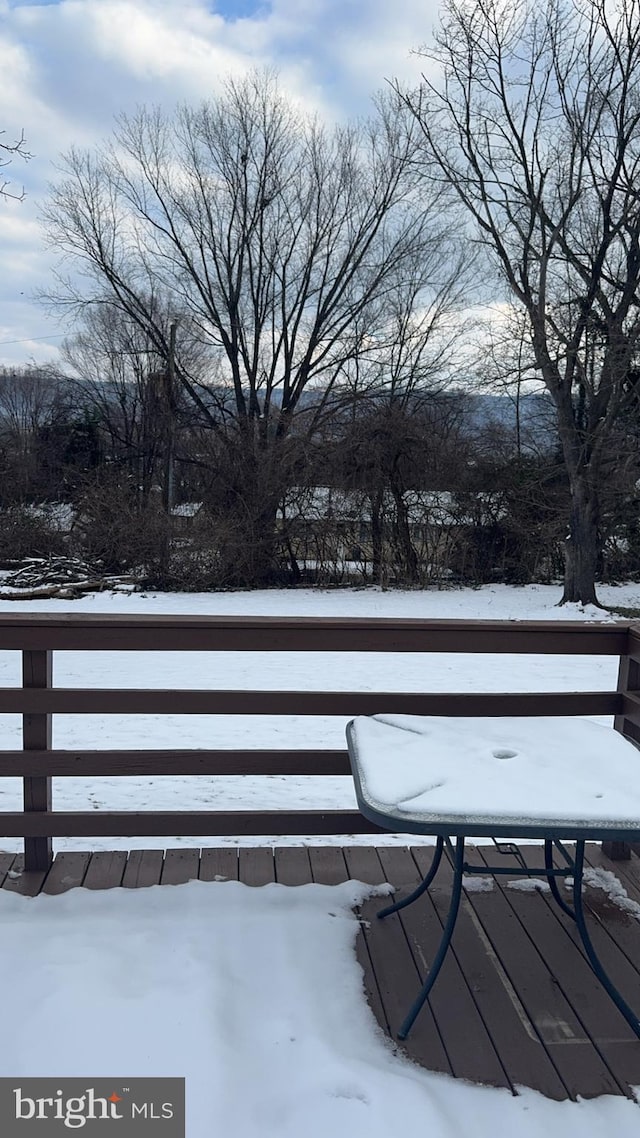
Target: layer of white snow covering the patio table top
x=524 y=771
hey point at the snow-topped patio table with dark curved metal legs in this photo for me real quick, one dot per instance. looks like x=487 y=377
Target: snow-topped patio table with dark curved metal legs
x=555 y=780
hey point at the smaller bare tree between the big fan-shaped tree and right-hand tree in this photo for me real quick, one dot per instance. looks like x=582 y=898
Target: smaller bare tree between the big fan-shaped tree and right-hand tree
x=396 y=389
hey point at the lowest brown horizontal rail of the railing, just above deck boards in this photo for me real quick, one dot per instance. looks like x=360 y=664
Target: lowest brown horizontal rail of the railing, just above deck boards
x=169 y=823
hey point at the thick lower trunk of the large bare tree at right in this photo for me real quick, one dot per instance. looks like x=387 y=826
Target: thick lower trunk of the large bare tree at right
x=582 y=546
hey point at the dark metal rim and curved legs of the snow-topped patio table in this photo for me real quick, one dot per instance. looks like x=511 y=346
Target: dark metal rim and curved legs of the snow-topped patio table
x=553 y=838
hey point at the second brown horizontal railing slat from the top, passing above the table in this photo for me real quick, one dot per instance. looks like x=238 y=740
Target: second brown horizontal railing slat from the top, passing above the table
x=155 y=702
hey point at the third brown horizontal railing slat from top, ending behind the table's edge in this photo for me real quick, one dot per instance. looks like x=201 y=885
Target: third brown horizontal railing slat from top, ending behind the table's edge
x=114 y=764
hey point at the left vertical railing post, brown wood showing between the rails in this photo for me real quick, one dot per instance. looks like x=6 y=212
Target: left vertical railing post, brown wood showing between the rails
x=37 y=737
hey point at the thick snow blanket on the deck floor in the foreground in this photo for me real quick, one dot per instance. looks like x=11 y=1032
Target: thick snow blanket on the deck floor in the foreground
x=277 y=1042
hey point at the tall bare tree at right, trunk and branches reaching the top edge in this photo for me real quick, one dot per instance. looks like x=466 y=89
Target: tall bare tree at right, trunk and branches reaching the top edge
x=535 y=123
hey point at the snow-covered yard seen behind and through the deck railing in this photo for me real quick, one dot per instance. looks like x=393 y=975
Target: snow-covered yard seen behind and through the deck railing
x=348 y=672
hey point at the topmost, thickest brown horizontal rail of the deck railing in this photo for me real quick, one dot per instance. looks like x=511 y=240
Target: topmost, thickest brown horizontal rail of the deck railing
x=96 y=632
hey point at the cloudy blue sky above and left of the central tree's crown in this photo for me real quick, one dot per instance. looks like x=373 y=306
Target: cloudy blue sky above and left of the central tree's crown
x=71 y=67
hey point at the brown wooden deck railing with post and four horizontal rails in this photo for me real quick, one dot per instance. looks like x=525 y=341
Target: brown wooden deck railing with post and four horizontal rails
x=38 y=637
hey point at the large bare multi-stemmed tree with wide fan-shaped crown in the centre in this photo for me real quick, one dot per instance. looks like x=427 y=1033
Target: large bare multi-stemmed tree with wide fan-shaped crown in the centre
x=281 y=240
